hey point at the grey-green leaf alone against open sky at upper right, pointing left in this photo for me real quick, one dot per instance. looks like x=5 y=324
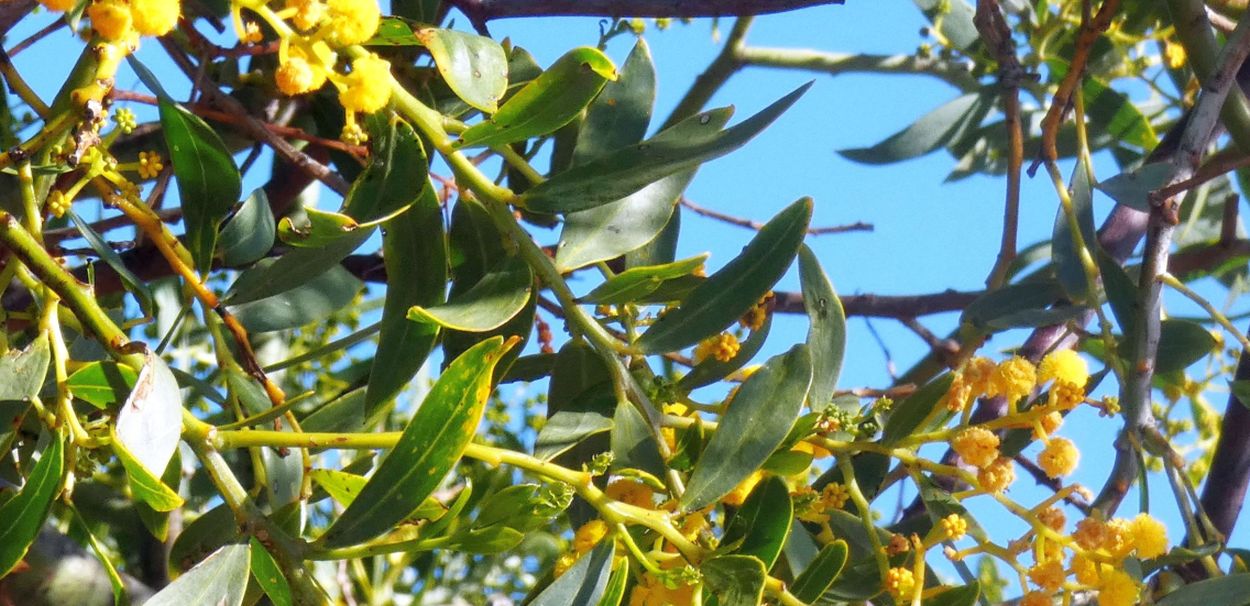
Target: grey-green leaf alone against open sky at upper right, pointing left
x=929 y=133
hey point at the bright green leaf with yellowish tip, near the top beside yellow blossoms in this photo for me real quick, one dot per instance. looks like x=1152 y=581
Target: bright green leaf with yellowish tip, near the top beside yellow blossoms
x=548 y=103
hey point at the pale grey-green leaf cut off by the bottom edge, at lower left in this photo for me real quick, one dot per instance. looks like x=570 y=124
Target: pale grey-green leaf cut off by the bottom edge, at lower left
x=219 y=580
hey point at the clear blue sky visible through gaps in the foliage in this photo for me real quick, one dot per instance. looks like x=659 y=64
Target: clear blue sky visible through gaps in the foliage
x=929 y=236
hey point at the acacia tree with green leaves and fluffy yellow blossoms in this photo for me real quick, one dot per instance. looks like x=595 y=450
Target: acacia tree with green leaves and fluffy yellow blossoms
x=233 y=425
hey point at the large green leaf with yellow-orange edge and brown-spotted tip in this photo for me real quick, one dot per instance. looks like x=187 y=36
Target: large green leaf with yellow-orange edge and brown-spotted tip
x=431 y=445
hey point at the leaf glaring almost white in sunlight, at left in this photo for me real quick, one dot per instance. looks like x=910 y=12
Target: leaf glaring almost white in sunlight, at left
x=151 y=423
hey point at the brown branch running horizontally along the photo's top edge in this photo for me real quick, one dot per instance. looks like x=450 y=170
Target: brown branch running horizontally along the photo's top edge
x=481 y=12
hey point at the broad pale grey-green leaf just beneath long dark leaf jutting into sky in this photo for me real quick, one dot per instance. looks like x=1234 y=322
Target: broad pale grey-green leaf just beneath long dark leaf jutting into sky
x=617 y=228
